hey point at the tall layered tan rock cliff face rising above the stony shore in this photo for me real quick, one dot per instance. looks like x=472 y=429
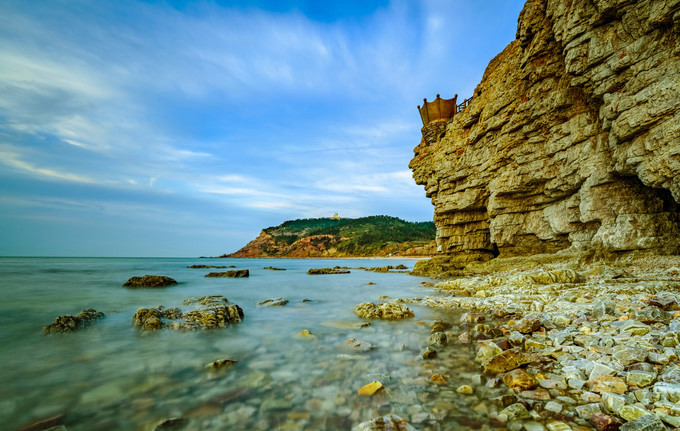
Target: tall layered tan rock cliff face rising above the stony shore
x=572 y=140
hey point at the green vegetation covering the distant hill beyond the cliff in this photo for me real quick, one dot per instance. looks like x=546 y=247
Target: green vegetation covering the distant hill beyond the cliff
x=364 y=235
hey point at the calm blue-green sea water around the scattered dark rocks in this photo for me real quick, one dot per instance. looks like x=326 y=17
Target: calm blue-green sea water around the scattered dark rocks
x=113 y=376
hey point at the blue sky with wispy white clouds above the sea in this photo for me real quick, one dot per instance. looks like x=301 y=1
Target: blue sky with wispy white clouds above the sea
x=183 y=128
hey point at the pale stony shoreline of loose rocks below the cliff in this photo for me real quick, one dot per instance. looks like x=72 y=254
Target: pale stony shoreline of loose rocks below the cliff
x=567 y=345
